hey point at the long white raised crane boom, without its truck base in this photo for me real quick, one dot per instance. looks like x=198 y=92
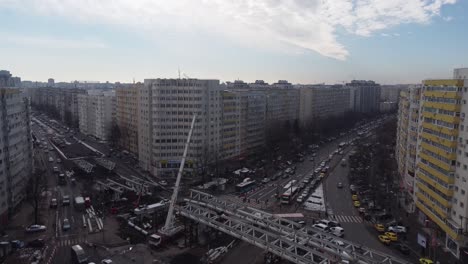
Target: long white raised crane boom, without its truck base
x=169 y=225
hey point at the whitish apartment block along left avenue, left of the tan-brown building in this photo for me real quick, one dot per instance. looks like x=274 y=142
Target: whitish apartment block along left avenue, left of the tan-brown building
x=96 y=111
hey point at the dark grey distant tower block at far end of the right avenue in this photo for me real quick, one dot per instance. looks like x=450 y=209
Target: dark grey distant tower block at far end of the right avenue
x=365 y=96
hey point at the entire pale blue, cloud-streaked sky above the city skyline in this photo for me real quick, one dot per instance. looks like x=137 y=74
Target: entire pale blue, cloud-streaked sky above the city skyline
x=302 y=41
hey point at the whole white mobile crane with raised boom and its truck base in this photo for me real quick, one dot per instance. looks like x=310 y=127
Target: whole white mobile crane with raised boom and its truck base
x=170 y=229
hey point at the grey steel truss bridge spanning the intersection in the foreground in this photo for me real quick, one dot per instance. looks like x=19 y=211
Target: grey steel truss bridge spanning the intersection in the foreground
x=284 y=238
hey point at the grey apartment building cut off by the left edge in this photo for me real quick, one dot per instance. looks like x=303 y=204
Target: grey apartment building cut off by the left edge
x=15 y=150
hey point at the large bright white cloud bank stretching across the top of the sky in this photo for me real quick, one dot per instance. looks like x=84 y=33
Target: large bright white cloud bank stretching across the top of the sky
x=307 y=24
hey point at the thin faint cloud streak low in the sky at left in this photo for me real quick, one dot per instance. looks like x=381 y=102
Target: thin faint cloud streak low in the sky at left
x=52 y=42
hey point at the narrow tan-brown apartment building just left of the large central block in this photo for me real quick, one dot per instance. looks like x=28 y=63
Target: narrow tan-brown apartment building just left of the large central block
x=127 y=115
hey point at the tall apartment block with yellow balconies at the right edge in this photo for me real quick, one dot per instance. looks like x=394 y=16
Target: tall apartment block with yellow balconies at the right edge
x=440 y=167
